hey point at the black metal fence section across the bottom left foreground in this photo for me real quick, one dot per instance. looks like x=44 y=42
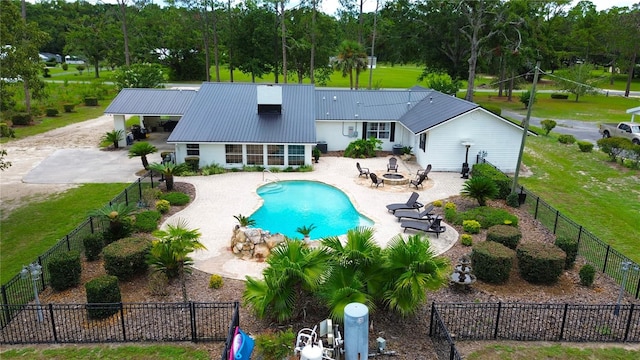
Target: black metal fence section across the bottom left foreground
x=69 y=323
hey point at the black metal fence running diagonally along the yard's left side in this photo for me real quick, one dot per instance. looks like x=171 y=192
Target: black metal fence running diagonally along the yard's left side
x=19 y=290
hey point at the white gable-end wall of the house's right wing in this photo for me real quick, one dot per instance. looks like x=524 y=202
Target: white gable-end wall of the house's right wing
x=445 y=152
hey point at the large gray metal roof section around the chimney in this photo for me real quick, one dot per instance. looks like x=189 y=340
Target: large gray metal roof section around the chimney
x=227 y=112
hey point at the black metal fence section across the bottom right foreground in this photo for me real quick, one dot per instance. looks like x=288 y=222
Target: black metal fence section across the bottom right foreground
x=539 y=322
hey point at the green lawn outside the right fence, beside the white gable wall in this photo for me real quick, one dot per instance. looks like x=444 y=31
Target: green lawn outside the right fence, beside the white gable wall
x=586 y=187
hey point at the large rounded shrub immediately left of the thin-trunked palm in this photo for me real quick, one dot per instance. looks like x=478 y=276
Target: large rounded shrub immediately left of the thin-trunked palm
x=126 y=257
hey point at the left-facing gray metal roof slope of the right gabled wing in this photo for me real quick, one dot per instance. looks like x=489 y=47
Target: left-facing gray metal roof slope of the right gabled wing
x=435 y=108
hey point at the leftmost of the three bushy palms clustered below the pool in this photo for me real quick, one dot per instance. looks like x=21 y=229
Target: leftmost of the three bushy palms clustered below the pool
x=294 y=270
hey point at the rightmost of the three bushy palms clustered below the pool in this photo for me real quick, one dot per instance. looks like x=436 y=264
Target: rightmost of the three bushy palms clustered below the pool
x=411 y=268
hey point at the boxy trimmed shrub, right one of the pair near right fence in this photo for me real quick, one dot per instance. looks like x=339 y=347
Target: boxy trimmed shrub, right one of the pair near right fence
x=540 y=263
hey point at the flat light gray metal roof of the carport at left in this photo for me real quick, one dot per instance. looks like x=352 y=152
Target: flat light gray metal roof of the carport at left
x=151 y=102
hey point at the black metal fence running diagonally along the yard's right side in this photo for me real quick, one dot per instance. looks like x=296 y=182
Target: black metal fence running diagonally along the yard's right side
x=603 y=257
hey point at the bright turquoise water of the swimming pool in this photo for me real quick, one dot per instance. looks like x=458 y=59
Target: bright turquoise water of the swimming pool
x=292 y=204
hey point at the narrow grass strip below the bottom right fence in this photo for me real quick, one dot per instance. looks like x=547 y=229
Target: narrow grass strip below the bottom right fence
x=559 y=352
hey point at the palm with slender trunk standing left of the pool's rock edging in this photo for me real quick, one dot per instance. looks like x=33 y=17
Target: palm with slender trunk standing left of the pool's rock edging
x=170 y=254
